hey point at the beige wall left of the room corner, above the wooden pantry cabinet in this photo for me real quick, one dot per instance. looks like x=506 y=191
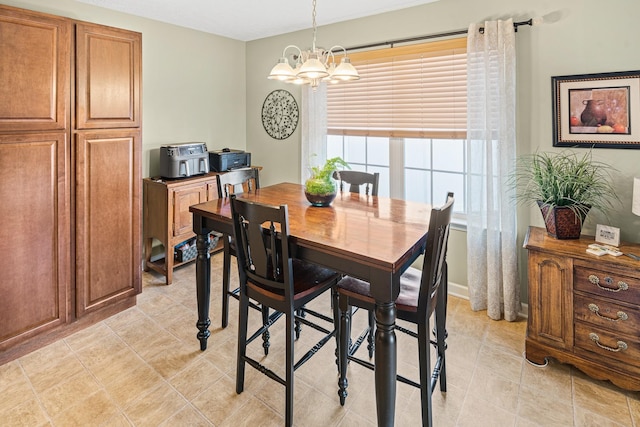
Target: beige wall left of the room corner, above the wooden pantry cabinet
x=193 y=83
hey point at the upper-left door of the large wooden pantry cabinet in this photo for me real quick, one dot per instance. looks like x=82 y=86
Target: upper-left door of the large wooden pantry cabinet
x=34 y=70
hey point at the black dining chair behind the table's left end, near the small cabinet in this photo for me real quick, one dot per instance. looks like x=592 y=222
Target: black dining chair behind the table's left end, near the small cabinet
x=233 y=182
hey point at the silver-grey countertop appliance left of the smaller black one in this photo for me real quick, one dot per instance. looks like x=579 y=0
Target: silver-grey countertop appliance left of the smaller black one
x=184 y=160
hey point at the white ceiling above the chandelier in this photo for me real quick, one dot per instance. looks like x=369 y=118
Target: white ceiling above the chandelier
x=252 y=19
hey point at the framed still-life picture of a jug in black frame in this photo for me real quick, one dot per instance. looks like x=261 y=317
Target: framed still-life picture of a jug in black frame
x=597 y=110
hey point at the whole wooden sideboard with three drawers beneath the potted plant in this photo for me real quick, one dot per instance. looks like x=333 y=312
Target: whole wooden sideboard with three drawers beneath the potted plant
x=584 y=309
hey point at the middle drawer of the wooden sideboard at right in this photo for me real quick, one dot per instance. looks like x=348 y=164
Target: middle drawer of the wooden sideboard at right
x=606 y=314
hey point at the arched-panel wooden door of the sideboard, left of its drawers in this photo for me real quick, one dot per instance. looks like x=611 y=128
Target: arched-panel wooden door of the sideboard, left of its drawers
x=550 y=299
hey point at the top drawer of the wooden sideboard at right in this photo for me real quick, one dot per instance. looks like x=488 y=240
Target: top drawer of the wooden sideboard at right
x=607 y=284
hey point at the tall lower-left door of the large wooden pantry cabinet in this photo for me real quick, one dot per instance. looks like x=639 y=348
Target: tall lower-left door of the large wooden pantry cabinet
x=34 y=235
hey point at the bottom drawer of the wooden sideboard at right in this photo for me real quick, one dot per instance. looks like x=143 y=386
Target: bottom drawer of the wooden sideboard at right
x=607 y=345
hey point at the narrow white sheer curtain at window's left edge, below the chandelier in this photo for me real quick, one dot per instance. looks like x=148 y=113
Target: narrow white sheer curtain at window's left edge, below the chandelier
x=313 y=150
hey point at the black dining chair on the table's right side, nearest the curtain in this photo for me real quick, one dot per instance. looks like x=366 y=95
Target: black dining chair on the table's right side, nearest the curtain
x=421 y=293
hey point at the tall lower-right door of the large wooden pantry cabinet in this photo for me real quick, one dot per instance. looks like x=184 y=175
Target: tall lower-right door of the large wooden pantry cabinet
x=108 y=217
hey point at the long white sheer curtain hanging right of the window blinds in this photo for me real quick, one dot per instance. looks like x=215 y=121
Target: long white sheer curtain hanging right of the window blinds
x=492 y=266
